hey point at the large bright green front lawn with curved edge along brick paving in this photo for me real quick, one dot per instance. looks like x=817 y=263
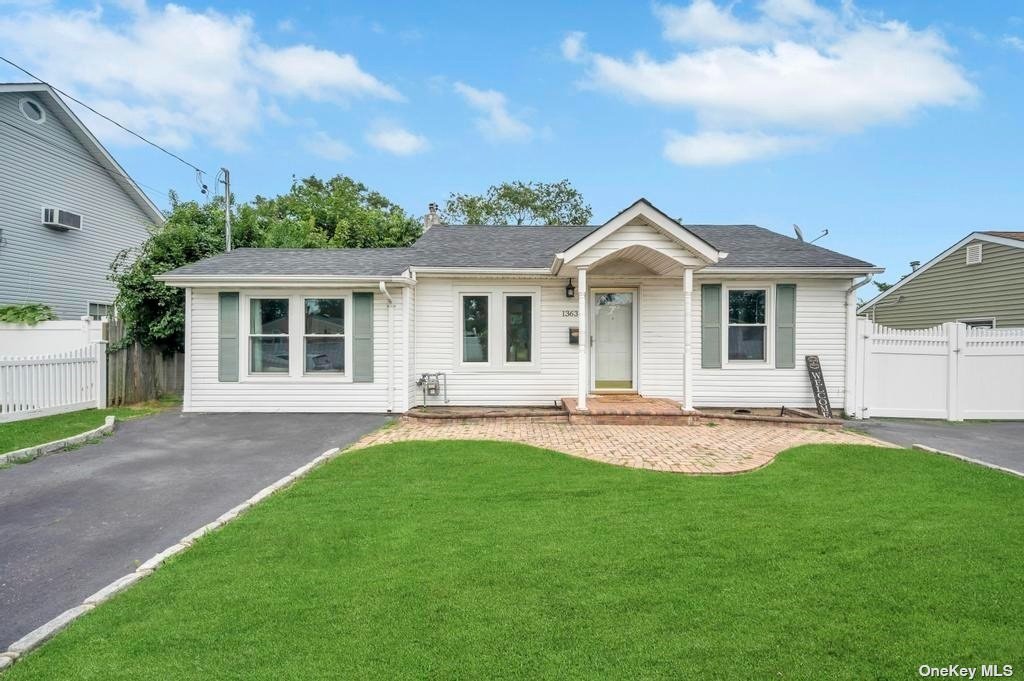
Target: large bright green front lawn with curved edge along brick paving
x=492 y=560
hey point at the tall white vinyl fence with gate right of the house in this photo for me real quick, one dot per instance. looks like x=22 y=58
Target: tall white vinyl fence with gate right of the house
x=950 y=372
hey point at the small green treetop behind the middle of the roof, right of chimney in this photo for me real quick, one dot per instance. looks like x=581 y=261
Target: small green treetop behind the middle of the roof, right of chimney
x=520 y=203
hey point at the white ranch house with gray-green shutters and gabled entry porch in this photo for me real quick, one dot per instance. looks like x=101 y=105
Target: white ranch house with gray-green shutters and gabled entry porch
x=709 y=316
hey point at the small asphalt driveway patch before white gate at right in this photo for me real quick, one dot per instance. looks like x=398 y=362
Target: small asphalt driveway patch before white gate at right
x=999 y=443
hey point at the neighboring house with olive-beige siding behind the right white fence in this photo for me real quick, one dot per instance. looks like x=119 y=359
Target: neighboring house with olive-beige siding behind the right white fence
x=979 y=281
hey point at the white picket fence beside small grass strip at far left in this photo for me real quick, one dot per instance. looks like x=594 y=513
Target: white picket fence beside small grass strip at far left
x=39 y=386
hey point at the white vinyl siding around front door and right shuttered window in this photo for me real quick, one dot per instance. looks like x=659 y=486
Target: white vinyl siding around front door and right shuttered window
x=821 y=330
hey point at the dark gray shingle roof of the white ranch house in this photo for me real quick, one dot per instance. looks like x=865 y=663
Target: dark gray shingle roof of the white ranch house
x=478 y=246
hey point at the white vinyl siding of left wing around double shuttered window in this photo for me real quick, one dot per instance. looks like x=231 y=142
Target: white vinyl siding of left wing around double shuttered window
x=292 y=394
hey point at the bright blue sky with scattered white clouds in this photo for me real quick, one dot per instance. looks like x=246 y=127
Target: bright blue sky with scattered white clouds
x=898 y=125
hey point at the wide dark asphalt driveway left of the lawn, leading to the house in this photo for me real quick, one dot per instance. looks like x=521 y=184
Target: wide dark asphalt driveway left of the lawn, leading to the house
x=74 y=523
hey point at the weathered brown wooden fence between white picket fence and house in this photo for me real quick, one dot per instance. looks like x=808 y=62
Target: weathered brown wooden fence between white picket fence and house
x=139 y=374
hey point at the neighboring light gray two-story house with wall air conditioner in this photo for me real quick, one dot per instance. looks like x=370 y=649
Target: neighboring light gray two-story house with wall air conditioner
x=50 y=160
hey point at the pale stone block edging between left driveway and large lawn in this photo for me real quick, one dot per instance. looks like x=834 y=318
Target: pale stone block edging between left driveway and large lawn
x=36 y=639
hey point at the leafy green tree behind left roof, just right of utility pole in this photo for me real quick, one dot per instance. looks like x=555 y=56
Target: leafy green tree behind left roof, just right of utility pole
x=334 y=214
